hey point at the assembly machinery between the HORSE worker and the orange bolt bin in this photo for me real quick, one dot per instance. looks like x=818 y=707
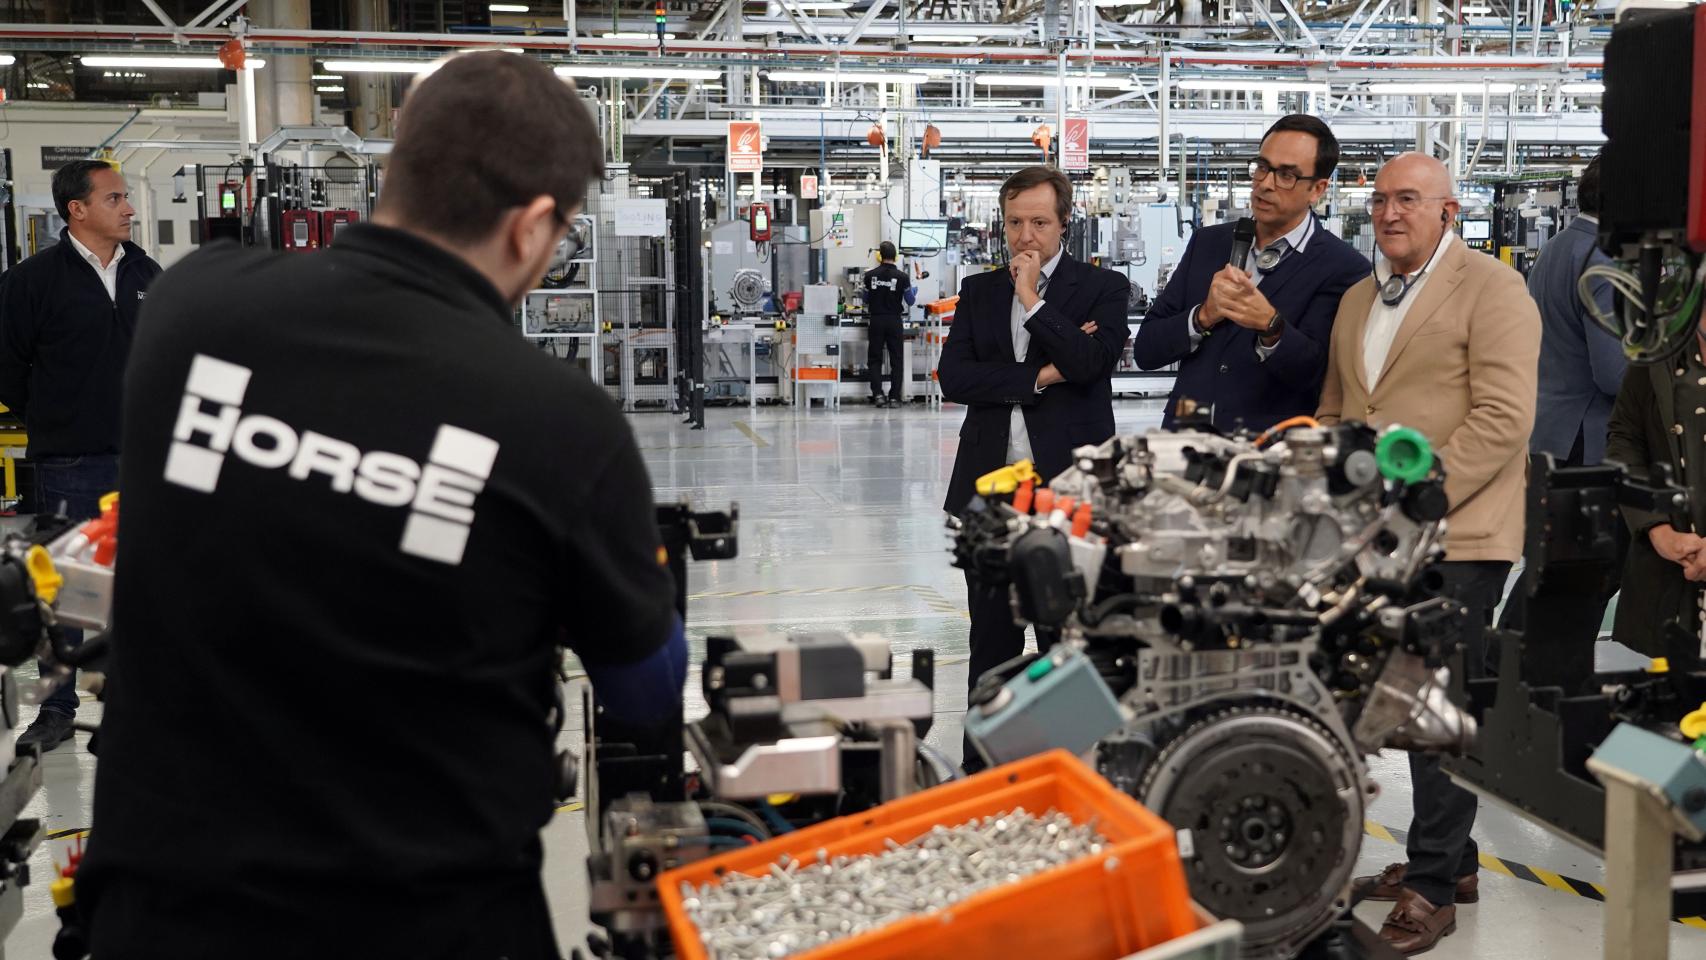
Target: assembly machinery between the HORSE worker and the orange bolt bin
x=799 y=731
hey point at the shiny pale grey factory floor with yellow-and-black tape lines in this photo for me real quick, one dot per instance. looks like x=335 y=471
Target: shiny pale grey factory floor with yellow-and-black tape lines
x=842 y=529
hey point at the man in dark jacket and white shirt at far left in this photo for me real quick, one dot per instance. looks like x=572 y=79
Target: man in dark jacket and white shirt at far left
x=67 y=318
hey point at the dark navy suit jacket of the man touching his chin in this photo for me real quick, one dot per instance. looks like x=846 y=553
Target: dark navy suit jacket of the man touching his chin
x=978 y=369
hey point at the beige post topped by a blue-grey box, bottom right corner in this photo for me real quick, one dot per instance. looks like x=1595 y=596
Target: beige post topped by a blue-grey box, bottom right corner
x=1656 y=790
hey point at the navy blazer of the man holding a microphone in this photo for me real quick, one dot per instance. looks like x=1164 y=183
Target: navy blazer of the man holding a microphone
x=1226 y=373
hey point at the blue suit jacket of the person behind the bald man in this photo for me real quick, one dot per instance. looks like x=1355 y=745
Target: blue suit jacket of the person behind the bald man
x=1581 y=364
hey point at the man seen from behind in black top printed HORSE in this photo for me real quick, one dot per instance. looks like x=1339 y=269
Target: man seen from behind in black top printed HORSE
x=363 y=518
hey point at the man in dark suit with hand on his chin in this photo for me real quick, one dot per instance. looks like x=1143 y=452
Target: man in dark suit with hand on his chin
x=1031 y=356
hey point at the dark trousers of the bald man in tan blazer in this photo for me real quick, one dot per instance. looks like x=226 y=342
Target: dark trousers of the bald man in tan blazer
x=1441 y=847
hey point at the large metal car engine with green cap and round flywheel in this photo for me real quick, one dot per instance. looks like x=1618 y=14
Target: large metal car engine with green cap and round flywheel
x=1231 y=625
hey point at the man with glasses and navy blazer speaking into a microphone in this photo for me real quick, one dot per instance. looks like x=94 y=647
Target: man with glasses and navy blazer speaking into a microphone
x=1253 y=347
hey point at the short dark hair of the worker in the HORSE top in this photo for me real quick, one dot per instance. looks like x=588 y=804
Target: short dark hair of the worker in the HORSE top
x=484 y=134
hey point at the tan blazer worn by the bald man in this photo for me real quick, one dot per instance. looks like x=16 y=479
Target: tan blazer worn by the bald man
x=1465 y=371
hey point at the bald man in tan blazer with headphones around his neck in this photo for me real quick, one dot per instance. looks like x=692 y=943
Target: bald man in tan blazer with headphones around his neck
x=1444 y=340
